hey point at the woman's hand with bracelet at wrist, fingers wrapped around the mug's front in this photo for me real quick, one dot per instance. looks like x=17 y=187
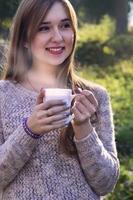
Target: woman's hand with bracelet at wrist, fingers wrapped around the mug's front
x=48 y=116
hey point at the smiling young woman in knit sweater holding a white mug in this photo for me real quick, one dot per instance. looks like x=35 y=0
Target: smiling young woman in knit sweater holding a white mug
x=42 y=156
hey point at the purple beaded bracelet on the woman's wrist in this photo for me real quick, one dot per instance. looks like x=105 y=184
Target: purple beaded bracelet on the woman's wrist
x=29 y=131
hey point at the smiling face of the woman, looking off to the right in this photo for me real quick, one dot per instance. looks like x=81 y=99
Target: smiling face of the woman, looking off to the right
x=53 y=42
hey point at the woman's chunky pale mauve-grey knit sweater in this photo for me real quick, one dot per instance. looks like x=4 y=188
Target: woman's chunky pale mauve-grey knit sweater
x=35 y=169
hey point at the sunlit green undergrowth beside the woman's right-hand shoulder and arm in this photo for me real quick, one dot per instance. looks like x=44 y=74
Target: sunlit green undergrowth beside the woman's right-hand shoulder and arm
x=118 y=81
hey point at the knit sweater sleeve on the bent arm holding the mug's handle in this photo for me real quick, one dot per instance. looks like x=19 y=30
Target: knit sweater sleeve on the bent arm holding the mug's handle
x=97 y=152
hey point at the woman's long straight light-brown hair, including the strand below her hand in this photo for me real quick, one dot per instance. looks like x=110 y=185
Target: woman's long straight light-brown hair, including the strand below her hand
x=26 y=23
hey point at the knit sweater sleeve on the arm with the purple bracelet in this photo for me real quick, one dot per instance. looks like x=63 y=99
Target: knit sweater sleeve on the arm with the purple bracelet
x=14 y=153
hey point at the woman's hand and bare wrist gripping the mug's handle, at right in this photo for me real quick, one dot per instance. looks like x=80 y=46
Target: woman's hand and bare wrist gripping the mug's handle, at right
x=84 y=107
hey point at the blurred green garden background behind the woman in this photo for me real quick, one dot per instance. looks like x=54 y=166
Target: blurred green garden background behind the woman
x=104 y=55
